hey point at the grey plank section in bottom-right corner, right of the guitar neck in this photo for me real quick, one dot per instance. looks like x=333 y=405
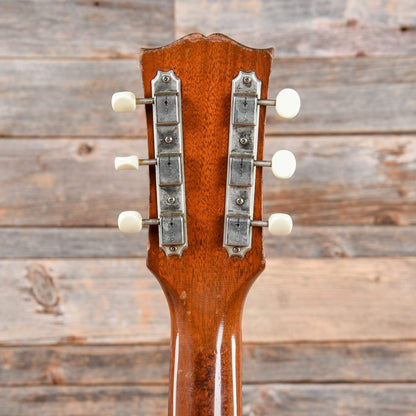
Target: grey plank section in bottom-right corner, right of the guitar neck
x=331 y=400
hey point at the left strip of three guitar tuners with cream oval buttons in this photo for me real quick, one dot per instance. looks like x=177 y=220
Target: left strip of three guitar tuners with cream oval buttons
x=168 y=162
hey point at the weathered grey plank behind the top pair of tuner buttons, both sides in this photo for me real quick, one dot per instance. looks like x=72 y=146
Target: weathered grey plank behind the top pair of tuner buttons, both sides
x=72 y=98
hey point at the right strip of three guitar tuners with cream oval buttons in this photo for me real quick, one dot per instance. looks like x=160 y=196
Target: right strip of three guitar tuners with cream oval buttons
x=242 y=162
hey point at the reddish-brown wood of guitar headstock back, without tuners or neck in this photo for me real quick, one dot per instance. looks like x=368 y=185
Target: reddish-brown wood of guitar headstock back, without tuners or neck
x=206 y=67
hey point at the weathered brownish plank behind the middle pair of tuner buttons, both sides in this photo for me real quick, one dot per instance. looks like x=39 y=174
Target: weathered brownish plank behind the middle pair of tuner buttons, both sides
x=345 y=180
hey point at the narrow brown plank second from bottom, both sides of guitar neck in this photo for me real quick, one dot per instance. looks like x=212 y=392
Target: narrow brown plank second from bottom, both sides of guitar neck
x=141 y=364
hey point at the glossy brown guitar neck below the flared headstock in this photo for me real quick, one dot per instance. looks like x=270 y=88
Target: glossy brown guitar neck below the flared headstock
x=205 y=373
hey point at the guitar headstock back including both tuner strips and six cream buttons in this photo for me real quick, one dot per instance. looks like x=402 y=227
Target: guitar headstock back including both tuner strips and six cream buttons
x=205 y=140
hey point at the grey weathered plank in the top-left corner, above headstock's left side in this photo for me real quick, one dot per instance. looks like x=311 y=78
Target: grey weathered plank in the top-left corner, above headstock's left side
x=85 y=28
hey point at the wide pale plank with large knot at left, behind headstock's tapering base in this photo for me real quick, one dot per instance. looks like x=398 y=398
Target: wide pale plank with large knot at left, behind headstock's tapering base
x=118 y=301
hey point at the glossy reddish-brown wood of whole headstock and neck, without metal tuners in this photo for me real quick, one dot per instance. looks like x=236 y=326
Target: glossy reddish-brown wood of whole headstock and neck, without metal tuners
x=205 y=288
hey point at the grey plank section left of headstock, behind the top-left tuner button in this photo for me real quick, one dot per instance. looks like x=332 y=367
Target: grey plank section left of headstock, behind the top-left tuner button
x=70 y=97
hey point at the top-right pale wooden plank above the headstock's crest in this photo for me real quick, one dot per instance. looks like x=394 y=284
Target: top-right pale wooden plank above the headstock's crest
x=305 y=28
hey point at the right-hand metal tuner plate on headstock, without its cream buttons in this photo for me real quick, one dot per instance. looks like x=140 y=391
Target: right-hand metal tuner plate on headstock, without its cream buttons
x=241 y=172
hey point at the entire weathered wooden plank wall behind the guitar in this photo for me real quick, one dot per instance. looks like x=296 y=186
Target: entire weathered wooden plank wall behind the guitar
x=329 y=328
